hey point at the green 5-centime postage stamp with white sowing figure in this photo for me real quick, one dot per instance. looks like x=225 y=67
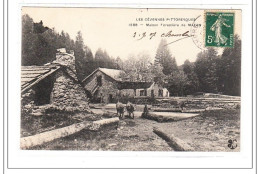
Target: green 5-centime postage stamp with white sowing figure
x=219 y=29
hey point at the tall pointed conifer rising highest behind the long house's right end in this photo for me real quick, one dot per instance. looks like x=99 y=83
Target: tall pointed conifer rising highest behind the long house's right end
x=164 y=57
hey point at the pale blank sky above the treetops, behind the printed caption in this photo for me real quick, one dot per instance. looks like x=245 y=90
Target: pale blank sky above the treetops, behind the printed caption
x=110 y=30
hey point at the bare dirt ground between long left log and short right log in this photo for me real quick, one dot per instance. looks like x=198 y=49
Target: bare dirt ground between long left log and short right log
x=131 y=135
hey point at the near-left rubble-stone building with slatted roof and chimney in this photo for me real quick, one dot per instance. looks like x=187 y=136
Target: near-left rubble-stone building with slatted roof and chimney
x=54 y=85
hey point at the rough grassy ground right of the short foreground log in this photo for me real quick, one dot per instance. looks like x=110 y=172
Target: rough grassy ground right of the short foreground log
x=211 y=131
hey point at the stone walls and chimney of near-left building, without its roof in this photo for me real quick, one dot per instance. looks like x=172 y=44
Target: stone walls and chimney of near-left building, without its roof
x=66 y=92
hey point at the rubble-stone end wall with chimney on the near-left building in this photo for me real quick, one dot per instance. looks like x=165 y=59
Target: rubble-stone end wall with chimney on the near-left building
x=67 y=93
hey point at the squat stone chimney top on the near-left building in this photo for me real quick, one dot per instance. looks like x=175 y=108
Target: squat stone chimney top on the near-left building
x=66 y=59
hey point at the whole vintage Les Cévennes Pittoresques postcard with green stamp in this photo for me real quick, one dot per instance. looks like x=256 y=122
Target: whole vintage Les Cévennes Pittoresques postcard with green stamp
x=128 y=79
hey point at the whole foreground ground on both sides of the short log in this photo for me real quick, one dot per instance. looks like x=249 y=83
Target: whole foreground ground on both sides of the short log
x=210 y=131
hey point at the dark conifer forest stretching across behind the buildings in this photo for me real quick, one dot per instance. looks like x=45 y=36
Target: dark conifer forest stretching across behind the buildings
x=210 y=72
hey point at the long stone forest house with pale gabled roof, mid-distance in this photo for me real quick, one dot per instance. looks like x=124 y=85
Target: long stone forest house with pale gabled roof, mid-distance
x=106 y=85
